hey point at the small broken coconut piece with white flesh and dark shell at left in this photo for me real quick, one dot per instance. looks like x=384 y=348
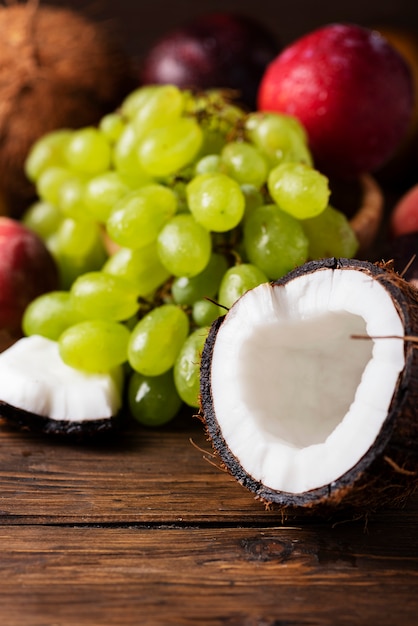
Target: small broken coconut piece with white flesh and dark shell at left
x=38 y=391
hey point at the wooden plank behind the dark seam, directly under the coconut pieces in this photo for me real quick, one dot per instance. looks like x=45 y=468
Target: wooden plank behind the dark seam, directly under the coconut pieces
x=147 y=476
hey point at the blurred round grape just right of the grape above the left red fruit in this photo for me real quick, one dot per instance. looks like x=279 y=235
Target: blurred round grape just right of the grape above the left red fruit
x=76 y=237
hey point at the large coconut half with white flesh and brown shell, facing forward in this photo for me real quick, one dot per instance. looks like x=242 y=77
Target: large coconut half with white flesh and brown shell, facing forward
x=309 y=387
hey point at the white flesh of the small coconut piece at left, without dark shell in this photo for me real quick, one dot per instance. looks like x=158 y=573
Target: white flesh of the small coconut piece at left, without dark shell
x=34 y=378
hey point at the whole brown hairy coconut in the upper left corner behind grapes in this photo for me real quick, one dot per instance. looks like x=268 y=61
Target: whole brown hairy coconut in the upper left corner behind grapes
x=57 y=69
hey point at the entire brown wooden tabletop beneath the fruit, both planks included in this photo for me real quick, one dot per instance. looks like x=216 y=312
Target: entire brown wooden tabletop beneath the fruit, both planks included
x=147 y=530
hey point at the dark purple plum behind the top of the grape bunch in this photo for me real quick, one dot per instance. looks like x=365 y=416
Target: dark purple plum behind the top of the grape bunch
x=214 y=50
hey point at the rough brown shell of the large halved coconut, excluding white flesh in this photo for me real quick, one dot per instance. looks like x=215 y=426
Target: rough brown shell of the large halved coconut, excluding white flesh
x=388 y=473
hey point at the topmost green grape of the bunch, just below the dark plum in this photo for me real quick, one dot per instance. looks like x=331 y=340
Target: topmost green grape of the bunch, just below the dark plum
x=159 y=107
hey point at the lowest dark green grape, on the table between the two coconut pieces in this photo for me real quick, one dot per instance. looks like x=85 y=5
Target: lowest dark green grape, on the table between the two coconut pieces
x=153 y=400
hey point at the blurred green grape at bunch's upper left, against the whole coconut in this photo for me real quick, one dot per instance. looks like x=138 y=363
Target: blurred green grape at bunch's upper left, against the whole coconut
x=47 y=151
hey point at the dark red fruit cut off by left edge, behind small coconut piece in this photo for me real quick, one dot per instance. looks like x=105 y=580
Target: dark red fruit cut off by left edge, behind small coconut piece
x=27 y=270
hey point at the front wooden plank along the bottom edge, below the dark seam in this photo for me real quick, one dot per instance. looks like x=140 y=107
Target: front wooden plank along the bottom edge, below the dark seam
x=237 y=577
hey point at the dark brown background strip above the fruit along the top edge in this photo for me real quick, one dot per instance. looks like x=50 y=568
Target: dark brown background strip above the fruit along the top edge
x=139 y=23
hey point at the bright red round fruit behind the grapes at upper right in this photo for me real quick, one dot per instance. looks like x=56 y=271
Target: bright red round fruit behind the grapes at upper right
x=351 y=90
